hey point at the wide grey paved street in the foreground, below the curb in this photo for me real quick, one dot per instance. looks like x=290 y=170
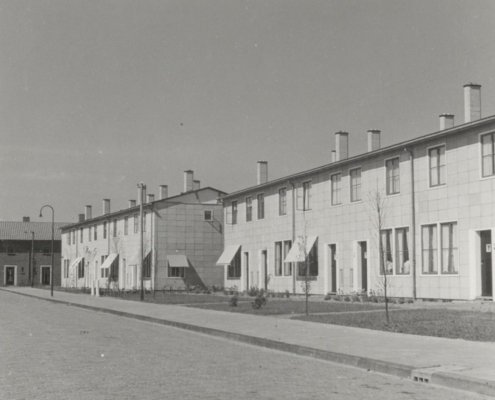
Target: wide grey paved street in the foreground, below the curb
x=51 y=351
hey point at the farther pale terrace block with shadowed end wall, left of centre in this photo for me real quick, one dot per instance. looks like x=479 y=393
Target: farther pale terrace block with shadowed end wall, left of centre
x=181 y=239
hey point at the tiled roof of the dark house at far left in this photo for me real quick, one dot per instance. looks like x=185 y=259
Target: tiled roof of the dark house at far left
x=16 y=230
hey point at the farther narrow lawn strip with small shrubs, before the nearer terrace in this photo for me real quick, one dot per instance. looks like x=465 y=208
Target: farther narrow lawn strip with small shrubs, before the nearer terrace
x=288 y=306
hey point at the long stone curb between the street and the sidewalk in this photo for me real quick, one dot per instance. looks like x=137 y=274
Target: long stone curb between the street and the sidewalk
x=453 y=379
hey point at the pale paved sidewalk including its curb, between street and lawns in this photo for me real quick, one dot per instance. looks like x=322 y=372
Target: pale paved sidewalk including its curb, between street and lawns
x=449 y=362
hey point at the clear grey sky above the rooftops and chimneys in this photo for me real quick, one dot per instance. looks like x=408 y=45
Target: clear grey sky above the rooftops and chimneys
x=96 y=96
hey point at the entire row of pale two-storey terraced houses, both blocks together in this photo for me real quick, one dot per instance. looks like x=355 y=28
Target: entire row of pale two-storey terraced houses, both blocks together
x=434 y=239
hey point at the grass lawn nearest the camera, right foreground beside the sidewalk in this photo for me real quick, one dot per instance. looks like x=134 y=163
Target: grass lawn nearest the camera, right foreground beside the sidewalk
x=458 y=324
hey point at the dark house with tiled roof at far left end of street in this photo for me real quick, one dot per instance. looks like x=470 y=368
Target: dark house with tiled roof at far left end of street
x=25 y=253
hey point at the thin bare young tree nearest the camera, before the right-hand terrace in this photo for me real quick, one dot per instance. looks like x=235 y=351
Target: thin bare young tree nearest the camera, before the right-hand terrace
x=377 y=204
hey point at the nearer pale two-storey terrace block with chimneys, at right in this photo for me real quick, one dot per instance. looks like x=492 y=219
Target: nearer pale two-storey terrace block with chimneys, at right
x=418 y=217
